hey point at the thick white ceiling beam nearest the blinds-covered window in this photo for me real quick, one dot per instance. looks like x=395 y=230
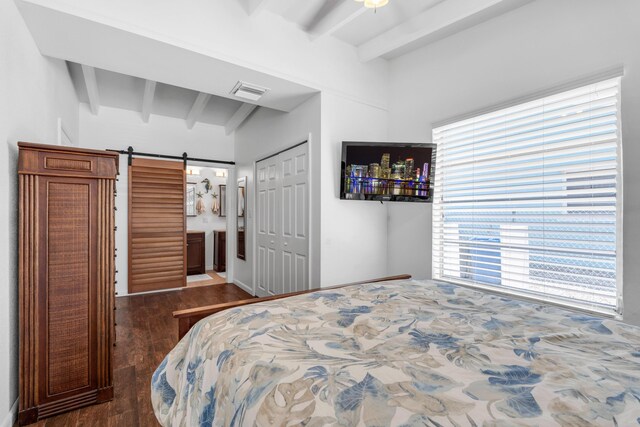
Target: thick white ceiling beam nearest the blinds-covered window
x=440 y=21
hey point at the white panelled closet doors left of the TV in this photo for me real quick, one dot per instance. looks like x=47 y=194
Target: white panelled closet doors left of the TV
x=282 y=188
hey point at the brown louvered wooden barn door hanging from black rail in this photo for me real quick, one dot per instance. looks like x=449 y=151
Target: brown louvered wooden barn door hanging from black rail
x=157 y=242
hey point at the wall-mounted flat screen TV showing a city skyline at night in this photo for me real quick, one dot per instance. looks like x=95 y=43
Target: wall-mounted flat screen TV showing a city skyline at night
x=385 y=171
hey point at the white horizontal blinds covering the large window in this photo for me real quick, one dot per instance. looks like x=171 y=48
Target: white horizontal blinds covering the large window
x=526 y=199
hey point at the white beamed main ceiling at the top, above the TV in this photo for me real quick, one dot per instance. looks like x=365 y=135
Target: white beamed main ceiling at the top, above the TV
x=386 y=32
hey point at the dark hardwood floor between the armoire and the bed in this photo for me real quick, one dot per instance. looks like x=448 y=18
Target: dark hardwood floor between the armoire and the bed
x=146 y=332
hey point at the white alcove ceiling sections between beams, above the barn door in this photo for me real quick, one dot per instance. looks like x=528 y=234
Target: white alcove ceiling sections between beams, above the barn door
x=127 y=92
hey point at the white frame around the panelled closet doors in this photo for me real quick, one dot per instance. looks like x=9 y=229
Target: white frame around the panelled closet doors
x=254 y=220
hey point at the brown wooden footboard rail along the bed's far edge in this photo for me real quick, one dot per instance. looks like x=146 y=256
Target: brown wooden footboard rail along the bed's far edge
x=189 y=317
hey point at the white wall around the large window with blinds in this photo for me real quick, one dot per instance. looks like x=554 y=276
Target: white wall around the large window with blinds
x=538 y=46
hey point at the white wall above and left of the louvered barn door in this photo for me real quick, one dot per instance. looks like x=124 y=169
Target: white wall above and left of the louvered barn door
x=114 y=128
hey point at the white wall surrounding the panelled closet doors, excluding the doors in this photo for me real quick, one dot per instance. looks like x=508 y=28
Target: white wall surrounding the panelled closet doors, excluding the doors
x=266 y=132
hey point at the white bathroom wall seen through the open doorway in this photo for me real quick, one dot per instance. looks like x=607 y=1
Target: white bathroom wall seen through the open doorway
x=207 y=221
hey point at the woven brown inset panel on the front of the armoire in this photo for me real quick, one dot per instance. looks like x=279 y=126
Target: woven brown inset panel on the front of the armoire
x=70 y=275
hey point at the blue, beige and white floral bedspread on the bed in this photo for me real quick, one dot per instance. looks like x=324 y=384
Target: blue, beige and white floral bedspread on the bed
x=414 y=353
